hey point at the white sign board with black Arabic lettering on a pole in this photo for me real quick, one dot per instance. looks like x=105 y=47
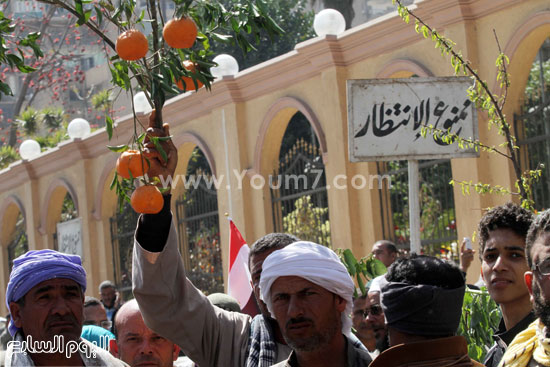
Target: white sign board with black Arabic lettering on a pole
x=385 y=117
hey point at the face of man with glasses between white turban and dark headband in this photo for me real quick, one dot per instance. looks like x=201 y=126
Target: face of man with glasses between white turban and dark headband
x=368 y=322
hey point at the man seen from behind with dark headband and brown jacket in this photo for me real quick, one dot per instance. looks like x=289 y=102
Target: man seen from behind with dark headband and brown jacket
x=422 y=300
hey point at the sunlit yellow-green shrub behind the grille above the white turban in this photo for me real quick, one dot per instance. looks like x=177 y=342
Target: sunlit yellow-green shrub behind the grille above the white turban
x=307 y=222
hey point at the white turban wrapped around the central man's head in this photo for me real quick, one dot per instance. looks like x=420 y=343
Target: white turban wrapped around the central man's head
x=315 y=263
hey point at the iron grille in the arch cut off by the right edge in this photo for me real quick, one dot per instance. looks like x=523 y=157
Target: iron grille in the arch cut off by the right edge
x=532 y=127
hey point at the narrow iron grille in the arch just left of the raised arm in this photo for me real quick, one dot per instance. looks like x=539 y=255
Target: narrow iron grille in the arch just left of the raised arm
x=123 y=226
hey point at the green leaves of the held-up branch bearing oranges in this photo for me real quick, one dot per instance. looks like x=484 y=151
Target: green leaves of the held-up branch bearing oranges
x=240 y=23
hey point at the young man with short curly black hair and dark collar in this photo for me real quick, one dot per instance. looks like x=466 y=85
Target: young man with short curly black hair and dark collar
x=502 y=233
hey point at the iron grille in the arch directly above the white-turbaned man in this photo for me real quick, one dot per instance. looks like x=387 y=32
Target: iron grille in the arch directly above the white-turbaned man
x=299 y=199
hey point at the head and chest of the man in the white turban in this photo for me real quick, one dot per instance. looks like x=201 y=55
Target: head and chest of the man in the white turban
x=309 y=292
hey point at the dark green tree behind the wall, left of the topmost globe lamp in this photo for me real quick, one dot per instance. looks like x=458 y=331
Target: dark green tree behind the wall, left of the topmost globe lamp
x=290 y=15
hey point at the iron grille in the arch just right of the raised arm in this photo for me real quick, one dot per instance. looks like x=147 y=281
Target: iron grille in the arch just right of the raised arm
x=198 y=226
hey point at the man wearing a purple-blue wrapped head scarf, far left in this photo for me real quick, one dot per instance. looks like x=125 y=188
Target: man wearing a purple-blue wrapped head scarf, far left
x=45 y=296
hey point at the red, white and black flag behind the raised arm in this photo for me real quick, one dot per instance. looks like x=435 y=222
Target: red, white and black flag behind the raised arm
x=239 y=282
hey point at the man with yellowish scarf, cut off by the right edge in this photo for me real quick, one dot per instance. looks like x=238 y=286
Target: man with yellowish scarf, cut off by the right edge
x=531 y=347
